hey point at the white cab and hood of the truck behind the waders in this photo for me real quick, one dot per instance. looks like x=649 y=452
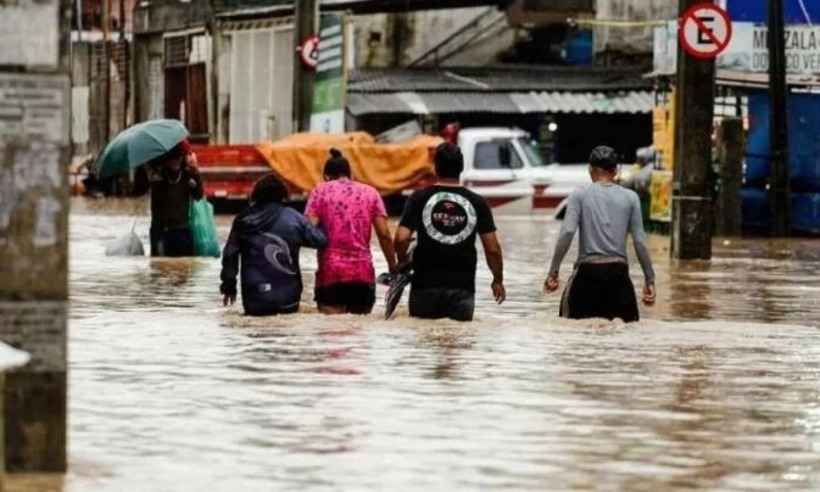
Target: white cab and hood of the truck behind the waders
x=504 y=166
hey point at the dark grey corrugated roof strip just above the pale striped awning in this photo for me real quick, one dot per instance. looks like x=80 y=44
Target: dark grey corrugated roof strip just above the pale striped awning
x=498 y=79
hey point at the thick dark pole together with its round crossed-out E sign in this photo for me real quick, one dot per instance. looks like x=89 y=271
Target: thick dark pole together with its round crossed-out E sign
x=705 y=31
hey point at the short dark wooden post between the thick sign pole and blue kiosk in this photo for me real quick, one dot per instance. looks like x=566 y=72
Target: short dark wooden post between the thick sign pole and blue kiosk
x=730 y=156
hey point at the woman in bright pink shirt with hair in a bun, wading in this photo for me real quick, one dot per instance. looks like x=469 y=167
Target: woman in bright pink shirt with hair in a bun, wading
x=348 y=211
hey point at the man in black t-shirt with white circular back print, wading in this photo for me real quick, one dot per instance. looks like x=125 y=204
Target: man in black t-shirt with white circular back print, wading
x=447 y=217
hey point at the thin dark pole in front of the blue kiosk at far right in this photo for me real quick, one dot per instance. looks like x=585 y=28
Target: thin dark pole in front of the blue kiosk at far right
x=779 y=192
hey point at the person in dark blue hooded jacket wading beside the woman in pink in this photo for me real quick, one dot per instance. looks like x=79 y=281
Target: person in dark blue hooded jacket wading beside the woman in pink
x=267 y=237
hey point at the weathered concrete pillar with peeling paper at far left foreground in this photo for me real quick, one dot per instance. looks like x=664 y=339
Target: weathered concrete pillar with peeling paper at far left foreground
x=34 y=154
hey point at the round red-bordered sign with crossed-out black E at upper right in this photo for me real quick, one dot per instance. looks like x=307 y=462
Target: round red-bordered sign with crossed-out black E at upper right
x=705 y=31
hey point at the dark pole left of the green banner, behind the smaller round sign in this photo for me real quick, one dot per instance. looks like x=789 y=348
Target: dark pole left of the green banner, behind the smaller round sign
x=305 y=26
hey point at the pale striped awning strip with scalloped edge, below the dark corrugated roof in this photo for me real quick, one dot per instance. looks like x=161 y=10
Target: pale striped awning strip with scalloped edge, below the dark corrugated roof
x=628 y=102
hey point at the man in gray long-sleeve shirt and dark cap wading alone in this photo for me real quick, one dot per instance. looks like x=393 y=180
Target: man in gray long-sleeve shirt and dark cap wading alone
x=605 y=213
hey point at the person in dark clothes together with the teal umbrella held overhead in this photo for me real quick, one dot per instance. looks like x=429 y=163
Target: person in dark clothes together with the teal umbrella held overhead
x=164 y=164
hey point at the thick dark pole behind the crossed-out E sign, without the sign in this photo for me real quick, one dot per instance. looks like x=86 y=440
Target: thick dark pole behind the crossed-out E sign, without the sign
x=691 y=197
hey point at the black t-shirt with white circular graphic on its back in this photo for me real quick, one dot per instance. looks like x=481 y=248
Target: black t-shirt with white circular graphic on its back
x=446 y=220
